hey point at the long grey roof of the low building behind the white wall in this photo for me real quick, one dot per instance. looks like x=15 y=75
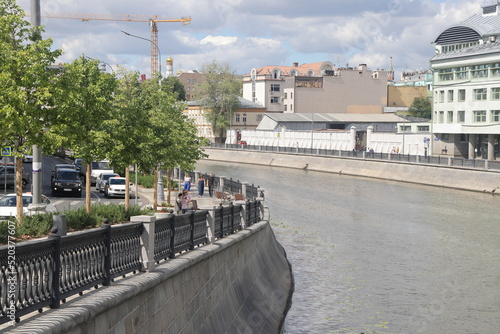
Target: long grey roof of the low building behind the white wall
x=339 y=118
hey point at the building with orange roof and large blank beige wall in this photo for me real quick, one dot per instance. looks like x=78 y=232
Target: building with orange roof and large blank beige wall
x=317 y=88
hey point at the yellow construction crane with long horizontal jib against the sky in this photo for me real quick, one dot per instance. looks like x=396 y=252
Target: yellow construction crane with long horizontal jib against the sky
x=151 y=19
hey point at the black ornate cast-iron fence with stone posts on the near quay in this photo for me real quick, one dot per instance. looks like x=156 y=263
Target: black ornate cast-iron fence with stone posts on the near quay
x=44 y=273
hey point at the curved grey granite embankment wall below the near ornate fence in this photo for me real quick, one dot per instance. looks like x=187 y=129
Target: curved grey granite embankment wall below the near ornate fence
x=239 y=284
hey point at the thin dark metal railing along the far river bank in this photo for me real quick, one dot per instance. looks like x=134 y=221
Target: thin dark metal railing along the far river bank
x=421 y=159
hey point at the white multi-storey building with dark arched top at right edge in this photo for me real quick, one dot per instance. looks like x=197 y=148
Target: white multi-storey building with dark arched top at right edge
x=466 y=89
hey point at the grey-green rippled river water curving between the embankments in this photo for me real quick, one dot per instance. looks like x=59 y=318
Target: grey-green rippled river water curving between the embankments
x=372 y=256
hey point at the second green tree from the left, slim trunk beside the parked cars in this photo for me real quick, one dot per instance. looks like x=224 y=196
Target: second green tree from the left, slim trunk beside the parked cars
x=85 y=101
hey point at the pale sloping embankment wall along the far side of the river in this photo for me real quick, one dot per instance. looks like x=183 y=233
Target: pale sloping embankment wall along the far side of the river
x=441 y=176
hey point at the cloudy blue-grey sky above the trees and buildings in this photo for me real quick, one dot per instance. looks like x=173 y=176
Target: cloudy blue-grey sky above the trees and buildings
x=250 y=34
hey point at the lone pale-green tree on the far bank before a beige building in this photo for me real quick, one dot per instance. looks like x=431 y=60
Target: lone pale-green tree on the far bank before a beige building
x=220 y=94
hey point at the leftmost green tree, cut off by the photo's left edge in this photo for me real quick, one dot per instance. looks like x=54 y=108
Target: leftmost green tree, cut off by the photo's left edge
x=25 y=87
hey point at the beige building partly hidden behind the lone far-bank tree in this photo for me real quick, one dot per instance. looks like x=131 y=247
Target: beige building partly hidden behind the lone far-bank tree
x=247 y=117
